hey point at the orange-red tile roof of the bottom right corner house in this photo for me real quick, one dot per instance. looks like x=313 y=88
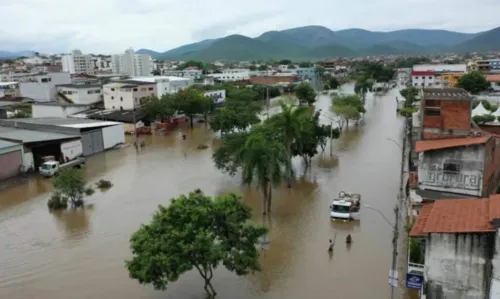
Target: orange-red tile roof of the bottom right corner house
x=458 y=216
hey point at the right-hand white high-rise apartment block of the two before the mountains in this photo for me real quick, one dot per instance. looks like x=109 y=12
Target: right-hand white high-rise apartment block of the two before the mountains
x=131 y=64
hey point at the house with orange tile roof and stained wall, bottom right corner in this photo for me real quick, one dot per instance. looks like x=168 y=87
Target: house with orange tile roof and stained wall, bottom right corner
x=461 y=245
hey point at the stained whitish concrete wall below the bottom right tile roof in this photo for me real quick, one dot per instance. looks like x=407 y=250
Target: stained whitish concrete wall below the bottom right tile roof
x=459 y=265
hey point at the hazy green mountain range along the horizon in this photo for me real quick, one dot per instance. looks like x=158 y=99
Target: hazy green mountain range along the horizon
x=318 y=42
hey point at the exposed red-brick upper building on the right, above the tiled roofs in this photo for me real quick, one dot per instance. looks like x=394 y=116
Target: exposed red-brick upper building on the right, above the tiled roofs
x=445 y=113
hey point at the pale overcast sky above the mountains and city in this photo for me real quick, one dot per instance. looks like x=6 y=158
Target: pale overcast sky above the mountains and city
x=111 y=26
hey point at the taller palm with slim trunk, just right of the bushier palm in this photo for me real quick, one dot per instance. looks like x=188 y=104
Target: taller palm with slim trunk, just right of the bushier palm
x=288 y=122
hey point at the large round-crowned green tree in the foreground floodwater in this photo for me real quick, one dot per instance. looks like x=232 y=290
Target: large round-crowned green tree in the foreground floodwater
x=195 y=232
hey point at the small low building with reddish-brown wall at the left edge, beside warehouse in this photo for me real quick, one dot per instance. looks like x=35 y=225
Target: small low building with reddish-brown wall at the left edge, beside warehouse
x=11 y=158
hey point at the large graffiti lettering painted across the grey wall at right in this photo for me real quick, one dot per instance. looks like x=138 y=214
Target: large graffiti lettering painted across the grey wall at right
x=445 y=179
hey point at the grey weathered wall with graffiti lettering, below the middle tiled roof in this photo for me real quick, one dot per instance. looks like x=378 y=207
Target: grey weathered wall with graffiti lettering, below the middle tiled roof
x=469 y=179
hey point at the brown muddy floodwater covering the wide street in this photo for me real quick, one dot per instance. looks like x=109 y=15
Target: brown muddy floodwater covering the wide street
x=81 y=254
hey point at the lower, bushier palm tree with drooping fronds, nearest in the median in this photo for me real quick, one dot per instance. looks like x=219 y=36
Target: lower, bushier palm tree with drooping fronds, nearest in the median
x=262 y=160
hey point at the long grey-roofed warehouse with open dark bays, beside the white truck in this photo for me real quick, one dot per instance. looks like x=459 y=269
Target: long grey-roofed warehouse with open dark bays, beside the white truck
x=49 y=133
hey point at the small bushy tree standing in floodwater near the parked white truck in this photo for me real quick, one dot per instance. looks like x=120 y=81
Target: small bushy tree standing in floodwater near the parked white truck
x=69 y=185
